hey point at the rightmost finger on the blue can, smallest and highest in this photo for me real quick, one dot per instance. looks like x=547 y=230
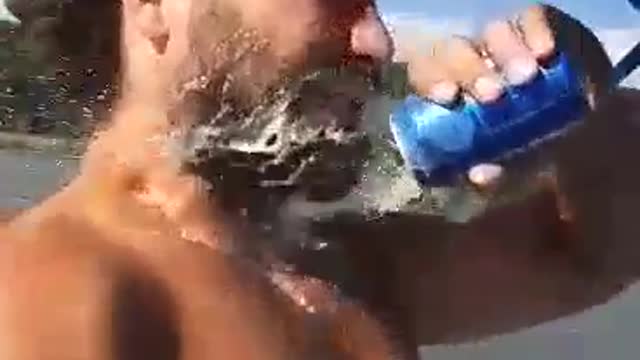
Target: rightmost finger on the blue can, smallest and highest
x=537 y=33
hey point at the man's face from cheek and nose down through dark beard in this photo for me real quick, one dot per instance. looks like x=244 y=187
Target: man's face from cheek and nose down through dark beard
x=274 y=89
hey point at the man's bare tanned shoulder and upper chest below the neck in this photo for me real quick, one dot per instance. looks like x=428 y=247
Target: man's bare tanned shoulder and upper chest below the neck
x=124 y=296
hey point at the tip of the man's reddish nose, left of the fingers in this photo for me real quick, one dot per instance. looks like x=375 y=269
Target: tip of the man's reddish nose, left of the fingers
x=370 y=37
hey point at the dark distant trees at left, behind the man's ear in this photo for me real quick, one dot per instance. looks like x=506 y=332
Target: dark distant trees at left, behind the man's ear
x=57 y=66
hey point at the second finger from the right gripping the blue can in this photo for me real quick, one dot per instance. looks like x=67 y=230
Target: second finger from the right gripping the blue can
x=509 y=52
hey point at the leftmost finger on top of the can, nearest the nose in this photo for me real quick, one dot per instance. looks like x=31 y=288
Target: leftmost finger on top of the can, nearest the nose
x=429 y=78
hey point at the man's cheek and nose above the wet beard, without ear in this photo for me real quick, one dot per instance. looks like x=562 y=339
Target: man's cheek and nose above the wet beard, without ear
x=262 y=40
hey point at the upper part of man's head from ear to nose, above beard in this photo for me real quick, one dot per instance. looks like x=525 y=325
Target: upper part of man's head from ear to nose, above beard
x=256 y=42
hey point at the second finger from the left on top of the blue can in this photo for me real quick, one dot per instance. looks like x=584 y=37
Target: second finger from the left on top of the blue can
x=466 y=66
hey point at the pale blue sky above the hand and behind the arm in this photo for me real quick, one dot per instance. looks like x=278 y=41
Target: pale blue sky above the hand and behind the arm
x=615 y=22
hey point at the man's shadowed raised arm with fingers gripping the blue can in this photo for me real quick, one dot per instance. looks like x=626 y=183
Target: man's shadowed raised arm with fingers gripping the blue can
x=521 y=264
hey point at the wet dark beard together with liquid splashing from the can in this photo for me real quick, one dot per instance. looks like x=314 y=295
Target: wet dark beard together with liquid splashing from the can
x=291 y=159
